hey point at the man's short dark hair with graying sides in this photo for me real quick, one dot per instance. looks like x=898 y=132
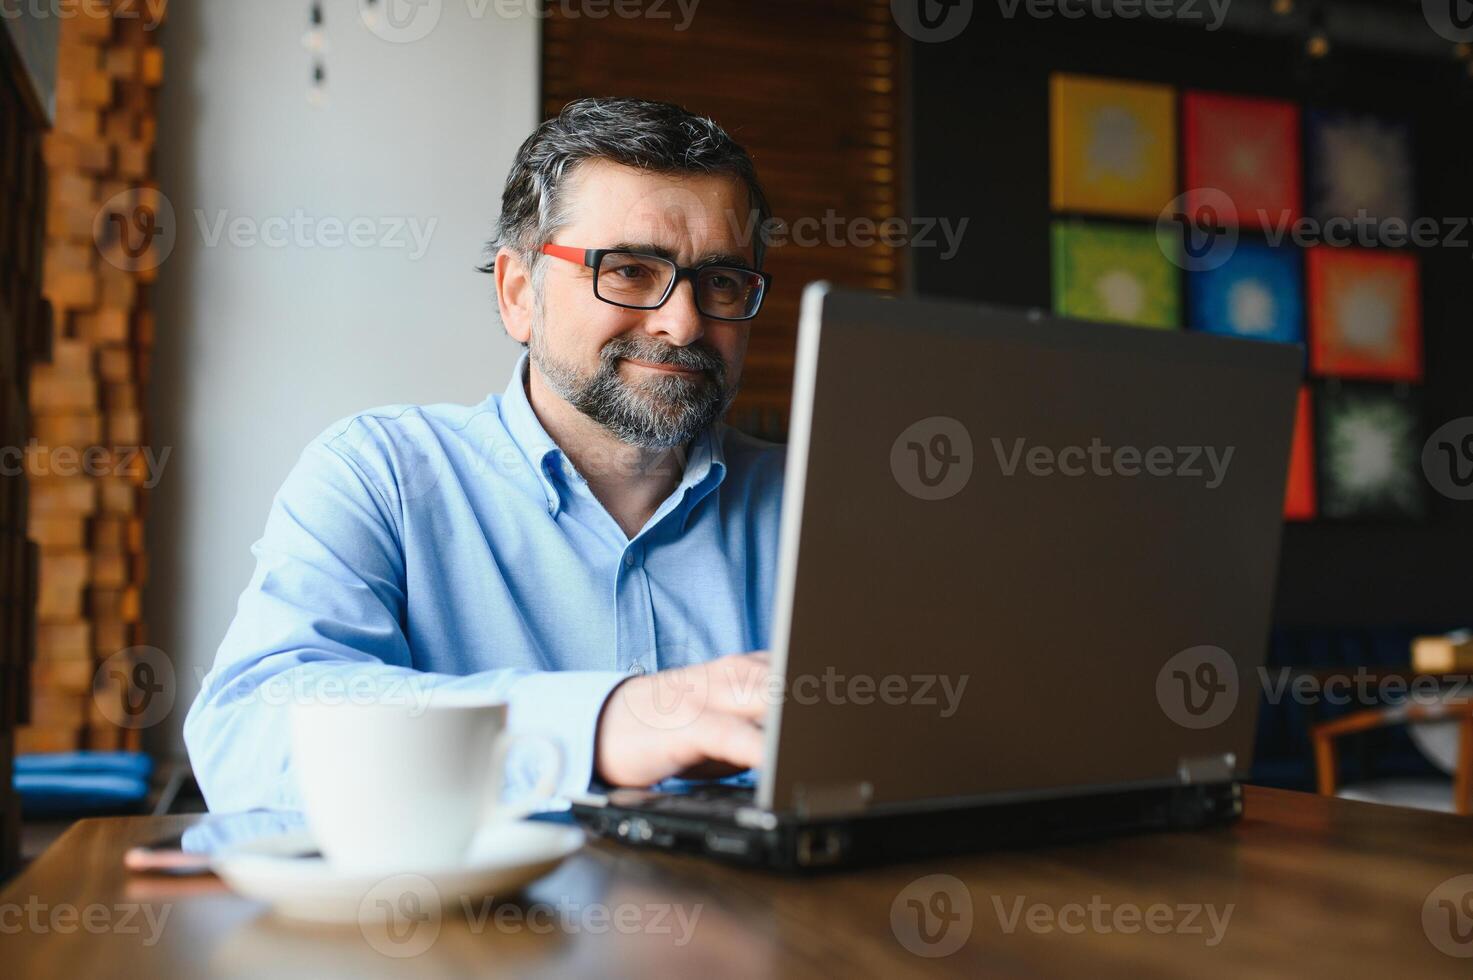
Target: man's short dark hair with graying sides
x=650 y=136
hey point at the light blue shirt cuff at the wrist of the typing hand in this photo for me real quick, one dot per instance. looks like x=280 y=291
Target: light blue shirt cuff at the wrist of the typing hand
x=563 y=707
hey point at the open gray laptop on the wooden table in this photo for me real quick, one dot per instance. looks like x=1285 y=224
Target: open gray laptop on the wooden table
x=1026 y=578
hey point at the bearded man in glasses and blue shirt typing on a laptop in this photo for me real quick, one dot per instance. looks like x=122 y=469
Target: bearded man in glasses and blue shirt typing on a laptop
x=581 y=545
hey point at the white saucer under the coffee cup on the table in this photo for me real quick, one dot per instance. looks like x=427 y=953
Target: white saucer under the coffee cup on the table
x=310 y=889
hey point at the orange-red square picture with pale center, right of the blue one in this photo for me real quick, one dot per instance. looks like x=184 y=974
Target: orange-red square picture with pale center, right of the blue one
x=1365 y=313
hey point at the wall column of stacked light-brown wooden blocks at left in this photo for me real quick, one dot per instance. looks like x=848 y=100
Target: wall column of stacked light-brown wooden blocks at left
x=89 y=522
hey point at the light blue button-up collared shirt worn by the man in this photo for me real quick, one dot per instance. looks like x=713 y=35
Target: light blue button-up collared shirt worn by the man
x=450 y=547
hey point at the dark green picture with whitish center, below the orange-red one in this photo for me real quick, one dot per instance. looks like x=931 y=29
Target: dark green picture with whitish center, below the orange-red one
x=1369 y=443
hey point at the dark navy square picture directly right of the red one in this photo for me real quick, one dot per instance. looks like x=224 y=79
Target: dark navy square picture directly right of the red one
x=1359 y=164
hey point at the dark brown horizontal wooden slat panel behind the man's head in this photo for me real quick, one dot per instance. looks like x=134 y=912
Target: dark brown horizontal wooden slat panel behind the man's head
x=811 y=89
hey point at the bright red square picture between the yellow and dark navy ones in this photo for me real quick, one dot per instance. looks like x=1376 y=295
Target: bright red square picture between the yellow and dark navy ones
x=1247 y=150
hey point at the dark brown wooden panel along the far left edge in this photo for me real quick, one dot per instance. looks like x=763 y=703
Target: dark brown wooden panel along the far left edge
x=23 y=331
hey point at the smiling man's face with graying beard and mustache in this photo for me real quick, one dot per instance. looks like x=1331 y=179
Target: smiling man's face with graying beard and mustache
x=655 y=378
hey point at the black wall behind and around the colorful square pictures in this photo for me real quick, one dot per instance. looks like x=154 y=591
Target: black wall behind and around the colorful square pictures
x=980 y=144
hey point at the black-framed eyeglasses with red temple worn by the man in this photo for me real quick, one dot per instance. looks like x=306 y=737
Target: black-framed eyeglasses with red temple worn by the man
x=639 y=281
